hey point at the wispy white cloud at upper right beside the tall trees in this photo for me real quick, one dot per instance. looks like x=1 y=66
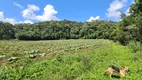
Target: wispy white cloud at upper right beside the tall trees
x=115 y=6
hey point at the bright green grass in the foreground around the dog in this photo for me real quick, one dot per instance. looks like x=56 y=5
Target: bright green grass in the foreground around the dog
x=82 y=65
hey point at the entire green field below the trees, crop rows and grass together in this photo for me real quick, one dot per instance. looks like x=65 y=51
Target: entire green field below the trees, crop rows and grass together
x=67 y=60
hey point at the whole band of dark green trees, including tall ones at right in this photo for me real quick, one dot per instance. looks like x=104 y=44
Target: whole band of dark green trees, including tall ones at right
x=129 y=28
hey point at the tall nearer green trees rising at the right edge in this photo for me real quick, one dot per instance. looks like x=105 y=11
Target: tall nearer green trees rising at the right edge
x=130 y=27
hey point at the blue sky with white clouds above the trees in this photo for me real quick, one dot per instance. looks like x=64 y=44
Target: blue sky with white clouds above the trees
x=31 y=11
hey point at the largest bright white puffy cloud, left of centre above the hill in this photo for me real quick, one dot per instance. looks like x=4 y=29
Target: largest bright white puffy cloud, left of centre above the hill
x=48 y=14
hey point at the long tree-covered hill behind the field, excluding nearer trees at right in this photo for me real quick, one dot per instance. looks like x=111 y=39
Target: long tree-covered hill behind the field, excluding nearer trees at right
x=51 y=30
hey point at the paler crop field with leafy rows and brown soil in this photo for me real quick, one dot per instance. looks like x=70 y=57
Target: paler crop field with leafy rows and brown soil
x=44 y=49
